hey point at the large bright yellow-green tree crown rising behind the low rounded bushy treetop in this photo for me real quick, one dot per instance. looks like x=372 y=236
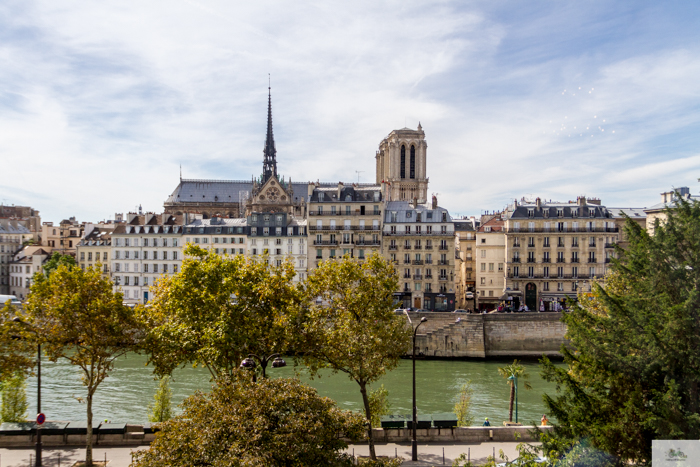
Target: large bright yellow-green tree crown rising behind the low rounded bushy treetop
x=218 y=310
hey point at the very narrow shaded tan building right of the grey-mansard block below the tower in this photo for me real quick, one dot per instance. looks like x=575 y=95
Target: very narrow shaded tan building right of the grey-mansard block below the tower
x=465 y=263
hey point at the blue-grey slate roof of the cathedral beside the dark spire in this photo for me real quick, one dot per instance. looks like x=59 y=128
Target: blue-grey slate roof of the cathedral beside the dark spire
x=221 y=191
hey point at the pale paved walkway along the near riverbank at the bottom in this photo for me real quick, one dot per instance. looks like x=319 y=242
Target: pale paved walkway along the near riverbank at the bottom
x=428 y=454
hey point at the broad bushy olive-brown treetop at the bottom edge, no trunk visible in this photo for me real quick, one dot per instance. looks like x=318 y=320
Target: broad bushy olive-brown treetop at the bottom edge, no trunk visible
x=274 y=422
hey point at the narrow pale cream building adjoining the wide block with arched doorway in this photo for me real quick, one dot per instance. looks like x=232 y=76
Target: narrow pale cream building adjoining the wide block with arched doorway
x=490 y=262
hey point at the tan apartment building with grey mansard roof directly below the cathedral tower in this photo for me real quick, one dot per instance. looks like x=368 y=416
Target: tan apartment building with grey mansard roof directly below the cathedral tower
x=420 y=240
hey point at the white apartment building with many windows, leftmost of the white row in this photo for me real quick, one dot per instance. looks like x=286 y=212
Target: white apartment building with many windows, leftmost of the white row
x=144 y=249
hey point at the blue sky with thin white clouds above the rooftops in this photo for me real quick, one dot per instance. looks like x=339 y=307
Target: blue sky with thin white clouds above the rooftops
x=101 y=103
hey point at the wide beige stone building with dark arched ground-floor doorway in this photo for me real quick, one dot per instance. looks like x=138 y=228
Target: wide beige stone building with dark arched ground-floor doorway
x=553 y=250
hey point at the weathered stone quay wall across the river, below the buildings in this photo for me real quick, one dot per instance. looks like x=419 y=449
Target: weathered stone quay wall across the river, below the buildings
x=489 y=335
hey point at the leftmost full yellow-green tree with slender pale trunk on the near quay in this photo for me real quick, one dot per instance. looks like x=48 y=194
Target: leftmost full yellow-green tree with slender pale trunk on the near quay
x=78 y=317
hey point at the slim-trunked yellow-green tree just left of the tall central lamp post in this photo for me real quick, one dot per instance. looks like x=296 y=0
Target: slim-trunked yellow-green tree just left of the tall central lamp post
x=349 y=325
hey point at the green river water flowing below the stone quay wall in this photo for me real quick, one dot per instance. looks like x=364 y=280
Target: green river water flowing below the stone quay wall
x=125 y=395
